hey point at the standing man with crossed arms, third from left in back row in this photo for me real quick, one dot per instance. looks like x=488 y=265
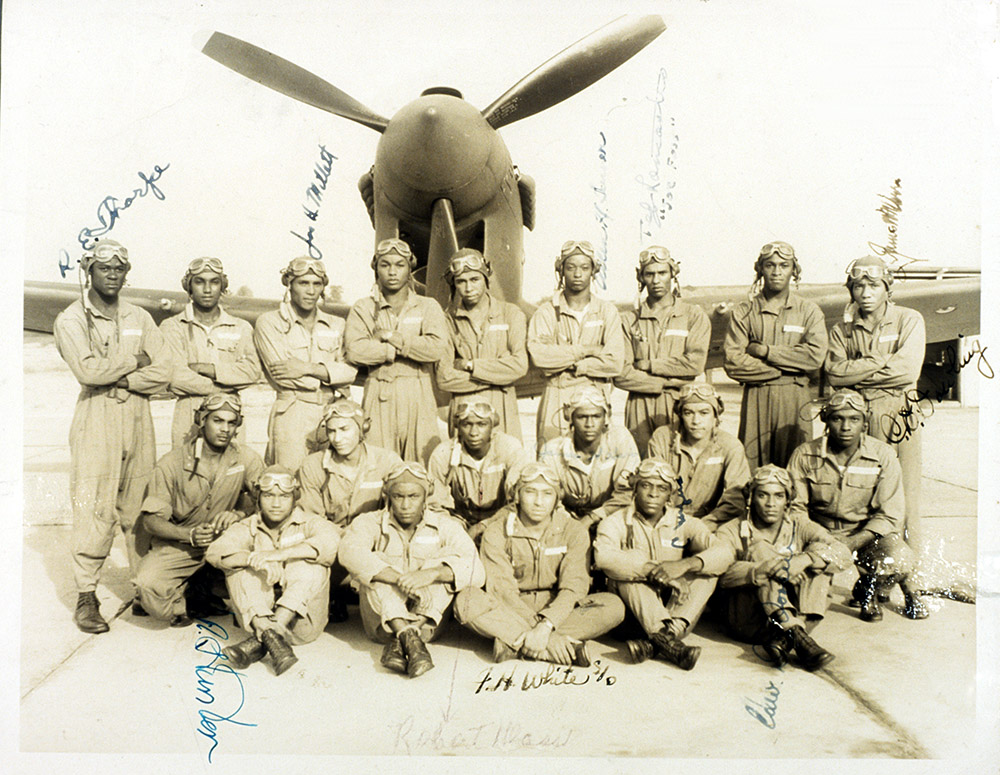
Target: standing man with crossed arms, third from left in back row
x=302 y=350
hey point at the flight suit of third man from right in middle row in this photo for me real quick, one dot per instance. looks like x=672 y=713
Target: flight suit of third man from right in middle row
x=600 y=487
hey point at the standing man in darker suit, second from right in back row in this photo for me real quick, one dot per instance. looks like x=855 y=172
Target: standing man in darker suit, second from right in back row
x=776 y=340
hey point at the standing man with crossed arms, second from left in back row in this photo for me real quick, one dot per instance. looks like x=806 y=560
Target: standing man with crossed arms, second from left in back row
x=213 y=351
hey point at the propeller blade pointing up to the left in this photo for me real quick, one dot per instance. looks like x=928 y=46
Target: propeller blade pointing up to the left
x=282 y=76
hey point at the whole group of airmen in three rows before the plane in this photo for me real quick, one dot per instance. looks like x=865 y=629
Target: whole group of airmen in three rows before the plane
x=543 y=552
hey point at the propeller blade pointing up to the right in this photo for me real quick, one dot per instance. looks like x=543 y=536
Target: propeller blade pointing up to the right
x=573 y=69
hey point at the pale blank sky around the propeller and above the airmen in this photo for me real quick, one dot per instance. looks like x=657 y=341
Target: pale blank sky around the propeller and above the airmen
x=790 y=119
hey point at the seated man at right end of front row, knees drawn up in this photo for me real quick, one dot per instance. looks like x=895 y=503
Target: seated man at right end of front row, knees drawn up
x=779 y=584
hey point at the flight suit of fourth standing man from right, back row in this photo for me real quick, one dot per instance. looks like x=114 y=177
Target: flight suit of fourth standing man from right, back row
x=556 y=338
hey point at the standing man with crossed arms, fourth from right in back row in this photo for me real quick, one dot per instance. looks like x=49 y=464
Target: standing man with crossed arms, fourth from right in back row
x=574 y=338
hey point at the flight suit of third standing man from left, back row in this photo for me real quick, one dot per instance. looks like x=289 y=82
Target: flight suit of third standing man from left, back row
x=298 y=408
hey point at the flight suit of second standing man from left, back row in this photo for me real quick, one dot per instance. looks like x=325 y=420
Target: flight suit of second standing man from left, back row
x=227 y=344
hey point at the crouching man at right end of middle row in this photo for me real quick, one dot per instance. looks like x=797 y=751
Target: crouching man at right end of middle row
x=851 y=484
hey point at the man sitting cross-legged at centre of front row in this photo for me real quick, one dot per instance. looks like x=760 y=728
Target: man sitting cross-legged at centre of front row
x=536 y=604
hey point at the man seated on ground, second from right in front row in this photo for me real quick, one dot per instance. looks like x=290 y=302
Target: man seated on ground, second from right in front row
x=662 y=564
